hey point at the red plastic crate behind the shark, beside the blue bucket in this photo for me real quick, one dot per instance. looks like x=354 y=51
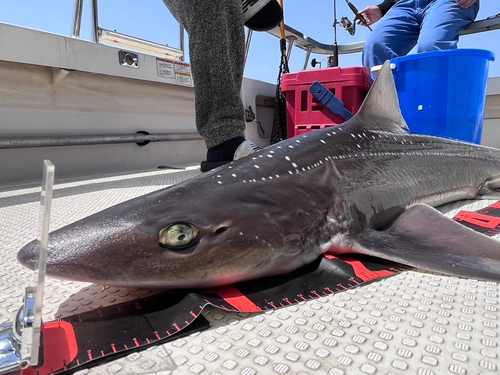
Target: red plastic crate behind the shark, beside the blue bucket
x=305 y=113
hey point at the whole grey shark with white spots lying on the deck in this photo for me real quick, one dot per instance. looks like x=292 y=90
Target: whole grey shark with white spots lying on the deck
x=367 y=186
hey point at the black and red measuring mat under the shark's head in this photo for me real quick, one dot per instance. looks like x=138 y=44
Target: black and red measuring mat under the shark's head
x=105 y=333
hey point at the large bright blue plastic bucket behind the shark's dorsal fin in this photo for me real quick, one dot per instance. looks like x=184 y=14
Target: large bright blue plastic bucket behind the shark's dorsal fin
x=443 y=93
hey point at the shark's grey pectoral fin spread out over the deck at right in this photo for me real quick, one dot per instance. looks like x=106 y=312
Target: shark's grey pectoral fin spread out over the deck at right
x=423 y=237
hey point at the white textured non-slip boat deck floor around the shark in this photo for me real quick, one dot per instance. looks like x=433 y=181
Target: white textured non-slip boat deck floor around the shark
x=413 y=323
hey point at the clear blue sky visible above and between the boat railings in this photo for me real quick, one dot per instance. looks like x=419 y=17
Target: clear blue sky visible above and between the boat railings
x=150 y=19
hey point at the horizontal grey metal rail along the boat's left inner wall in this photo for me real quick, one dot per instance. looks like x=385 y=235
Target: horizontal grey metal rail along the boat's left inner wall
x=82 y=140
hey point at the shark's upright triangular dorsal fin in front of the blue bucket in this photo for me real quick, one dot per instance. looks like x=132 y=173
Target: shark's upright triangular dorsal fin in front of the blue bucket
x=380 y=110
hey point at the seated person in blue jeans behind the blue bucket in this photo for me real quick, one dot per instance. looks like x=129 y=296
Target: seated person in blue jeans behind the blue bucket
x=401 y=25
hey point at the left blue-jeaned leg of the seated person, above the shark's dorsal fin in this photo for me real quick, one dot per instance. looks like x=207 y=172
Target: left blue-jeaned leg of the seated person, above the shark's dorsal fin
x=393 y=36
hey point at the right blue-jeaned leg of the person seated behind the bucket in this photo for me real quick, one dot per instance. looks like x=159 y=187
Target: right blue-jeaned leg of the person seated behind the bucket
x=443 y=22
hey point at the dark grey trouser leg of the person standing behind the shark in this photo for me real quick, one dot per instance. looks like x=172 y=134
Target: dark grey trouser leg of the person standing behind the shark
x=216 y=49
